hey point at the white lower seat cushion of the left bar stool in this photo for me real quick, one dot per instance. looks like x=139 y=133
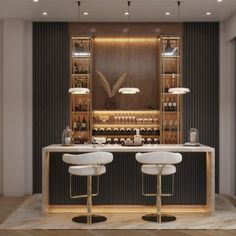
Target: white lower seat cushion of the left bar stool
x=87 y=170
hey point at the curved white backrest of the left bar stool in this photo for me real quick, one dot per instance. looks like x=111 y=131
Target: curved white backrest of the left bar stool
x=91 y=158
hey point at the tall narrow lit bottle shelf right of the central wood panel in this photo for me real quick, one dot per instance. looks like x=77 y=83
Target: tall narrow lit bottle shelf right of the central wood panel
x=170 y=103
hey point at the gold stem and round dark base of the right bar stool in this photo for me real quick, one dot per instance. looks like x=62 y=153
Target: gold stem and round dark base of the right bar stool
x=158 y=217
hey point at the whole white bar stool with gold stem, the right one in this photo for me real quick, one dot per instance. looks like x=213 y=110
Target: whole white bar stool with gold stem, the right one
x=158 y=163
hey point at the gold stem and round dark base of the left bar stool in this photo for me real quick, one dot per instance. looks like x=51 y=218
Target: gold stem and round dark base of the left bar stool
x=89 y=218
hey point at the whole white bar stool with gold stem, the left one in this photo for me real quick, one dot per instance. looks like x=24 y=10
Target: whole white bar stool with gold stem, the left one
x=88 y=164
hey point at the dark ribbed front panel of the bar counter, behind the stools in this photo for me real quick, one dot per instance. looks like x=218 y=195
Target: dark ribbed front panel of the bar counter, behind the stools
x=121 y=184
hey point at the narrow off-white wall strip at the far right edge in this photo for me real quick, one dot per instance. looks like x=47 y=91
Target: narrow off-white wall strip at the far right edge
x=227 y=107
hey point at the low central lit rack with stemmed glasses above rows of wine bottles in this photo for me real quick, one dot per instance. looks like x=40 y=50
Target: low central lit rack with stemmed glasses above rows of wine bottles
x=119 y=126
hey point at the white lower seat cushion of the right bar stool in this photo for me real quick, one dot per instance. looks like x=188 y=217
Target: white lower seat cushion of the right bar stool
x=158 y=169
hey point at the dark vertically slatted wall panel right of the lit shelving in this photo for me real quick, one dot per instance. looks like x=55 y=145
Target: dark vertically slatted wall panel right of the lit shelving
x=201 y=75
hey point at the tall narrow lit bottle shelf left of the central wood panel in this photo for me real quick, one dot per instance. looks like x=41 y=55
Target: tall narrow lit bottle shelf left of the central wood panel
x=81 y=78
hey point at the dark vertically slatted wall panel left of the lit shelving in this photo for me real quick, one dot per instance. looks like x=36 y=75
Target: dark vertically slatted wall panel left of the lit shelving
x=50 y=89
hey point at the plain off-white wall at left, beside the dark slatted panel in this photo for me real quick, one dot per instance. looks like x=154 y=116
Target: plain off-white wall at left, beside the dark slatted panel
x=17 y=107
